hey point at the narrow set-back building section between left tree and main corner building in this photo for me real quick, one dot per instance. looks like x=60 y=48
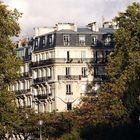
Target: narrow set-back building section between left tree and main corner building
x=23 y=84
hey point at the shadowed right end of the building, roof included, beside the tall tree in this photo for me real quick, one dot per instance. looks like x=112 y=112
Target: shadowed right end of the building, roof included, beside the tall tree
x=102 y=48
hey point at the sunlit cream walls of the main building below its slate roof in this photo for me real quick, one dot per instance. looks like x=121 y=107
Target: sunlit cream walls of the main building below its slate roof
x=67 y=79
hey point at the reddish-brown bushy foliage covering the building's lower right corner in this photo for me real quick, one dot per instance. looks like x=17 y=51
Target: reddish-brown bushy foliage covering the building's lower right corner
x=105 y=108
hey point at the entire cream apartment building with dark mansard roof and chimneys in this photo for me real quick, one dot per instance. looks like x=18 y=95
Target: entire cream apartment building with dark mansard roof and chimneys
x=59 y=64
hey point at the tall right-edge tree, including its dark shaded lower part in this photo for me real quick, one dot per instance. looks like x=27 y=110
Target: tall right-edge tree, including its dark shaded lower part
x=124 y=63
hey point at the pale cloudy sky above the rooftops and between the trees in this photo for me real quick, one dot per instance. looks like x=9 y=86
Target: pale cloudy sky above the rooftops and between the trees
x=38 y=13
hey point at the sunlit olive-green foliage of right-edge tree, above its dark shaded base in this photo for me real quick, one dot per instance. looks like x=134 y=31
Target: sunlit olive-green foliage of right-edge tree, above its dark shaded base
x=124 y=63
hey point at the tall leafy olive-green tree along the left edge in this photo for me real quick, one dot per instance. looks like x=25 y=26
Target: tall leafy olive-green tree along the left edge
x=9 y=67
